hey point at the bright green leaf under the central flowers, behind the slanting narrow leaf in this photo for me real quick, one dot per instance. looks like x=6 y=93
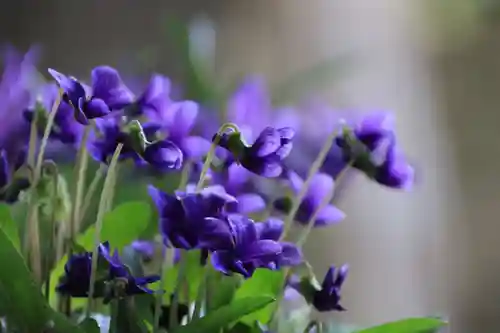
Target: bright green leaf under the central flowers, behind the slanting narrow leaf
x=264 y=282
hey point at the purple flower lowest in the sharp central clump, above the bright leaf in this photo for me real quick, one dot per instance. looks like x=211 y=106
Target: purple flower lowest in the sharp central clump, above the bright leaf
x=242 y=251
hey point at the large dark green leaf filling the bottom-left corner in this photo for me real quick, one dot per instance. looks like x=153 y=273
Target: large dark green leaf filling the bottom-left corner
x=20 y=297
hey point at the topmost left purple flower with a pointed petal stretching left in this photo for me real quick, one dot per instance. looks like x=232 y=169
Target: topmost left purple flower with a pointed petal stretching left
x=108 y=93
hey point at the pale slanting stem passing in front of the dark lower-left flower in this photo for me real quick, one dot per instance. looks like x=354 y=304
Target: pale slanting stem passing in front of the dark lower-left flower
x=103 y=204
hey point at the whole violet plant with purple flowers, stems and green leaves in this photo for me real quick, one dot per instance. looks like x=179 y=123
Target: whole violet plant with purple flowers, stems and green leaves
x=220 y=258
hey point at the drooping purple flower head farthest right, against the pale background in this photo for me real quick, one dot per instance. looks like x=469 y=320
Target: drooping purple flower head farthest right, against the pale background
x=371 y=147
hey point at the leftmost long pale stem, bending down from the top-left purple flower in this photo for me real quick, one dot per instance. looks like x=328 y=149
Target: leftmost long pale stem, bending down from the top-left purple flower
x=32 y=228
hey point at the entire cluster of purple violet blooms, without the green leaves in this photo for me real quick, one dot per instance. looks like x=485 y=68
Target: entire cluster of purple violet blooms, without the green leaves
x=240 y=221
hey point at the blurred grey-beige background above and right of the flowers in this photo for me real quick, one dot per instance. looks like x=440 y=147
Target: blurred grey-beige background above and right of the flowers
x=435 y=64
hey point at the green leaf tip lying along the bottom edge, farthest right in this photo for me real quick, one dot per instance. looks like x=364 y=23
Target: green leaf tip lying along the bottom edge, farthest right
x=409 y=325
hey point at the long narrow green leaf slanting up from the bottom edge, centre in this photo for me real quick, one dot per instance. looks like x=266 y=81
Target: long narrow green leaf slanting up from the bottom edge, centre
x=226 y=315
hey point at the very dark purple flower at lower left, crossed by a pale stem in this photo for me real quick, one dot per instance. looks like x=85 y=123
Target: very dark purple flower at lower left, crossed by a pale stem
x=77 y=270
